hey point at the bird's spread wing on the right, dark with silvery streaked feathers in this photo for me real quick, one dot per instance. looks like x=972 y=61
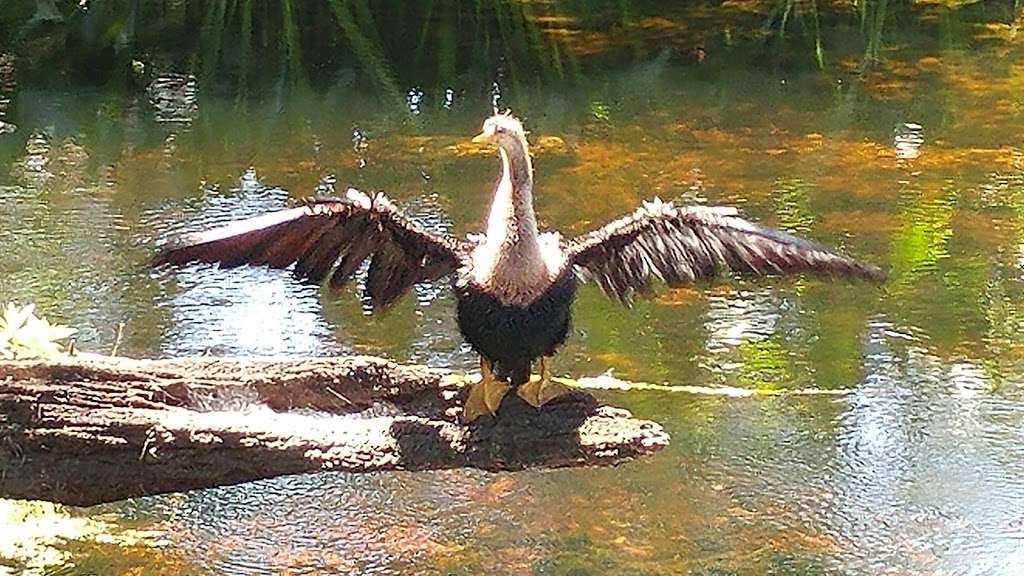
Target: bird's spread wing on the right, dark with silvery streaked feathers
x=681 y=244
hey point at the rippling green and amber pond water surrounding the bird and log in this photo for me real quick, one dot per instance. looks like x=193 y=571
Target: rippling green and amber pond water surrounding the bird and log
x=902 y=144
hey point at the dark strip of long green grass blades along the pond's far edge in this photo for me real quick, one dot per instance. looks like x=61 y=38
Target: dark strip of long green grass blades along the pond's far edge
x=267 y=46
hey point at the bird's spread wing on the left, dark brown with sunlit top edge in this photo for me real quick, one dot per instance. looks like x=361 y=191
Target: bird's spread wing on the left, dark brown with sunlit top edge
x=330 y=236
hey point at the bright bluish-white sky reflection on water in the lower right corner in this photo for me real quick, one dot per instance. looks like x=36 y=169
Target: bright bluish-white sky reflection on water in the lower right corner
x=924 y=458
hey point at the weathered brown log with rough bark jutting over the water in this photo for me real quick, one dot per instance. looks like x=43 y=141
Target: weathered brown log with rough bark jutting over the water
x=90 y=430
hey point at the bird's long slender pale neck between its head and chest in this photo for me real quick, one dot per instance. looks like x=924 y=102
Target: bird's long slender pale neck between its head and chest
x=513 y=220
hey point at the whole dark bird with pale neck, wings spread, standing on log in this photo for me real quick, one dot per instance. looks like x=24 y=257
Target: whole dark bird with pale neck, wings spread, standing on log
x=516 y=285
